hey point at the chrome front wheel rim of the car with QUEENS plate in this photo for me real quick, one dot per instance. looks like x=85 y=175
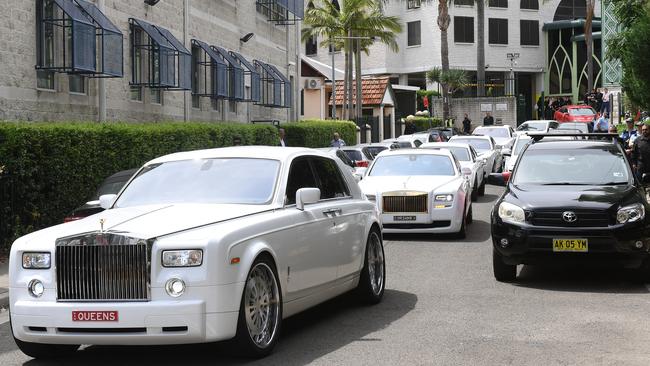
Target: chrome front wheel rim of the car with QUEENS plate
x=261 y=305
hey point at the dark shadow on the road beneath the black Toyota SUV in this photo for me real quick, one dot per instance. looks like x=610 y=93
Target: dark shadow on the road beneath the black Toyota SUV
x=582 y=278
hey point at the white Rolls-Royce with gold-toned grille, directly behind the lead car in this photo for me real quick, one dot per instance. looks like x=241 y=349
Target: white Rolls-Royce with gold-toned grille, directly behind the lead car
x=419 y=191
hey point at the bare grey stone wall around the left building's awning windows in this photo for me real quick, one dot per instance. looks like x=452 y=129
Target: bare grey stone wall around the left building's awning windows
x=217 y=22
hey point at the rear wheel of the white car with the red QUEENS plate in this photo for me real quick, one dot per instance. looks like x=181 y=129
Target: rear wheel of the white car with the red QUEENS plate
x=372 y=281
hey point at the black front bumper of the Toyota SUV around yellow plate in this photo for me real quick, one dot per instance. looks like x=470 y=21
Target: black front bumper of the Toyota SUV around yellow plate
x=529 y=244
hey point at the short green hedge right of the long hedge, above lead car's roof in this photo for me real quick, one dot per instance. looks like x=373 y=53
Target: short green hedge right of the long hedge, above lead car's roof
x=318 y=133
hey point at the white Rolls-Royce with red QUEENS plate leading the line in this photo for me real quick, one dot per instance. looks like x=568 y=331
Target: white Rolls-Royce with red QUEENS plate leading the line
x=199 y=246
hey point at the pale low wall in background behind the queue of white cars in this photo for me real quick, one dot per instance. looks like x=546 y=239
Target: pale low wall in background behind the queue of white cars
x=503 y=109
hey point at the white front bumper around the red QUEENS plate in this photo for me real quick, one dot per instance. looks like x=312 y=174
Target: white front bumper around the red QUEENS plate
x=156 y=322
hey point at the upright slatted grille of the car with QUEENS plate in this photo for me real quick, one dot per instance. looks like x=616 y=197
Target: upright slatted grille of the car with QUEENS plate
x=102 y=272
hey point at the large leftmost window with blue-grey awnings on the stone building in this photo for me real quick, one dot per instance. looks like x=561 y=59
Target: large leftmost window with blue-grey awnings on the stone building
x=75 y=37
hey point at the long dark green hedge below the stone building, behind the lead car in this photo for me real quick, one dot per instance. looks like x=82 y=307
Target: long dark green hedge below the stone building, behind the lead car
x=48 y=169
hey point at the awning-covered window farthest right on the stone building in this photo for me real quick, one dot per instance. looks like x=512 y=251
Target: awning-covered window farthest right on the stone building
x=275 y=87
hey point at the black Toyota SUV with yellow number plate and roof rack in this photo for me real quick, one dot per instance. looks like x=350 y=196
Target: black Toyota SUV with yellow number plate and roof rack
x=570 y=201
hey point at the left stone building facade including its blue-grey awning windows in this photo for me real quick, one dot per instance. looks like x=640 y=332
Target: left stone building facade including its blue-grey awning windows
x=195 y=60
